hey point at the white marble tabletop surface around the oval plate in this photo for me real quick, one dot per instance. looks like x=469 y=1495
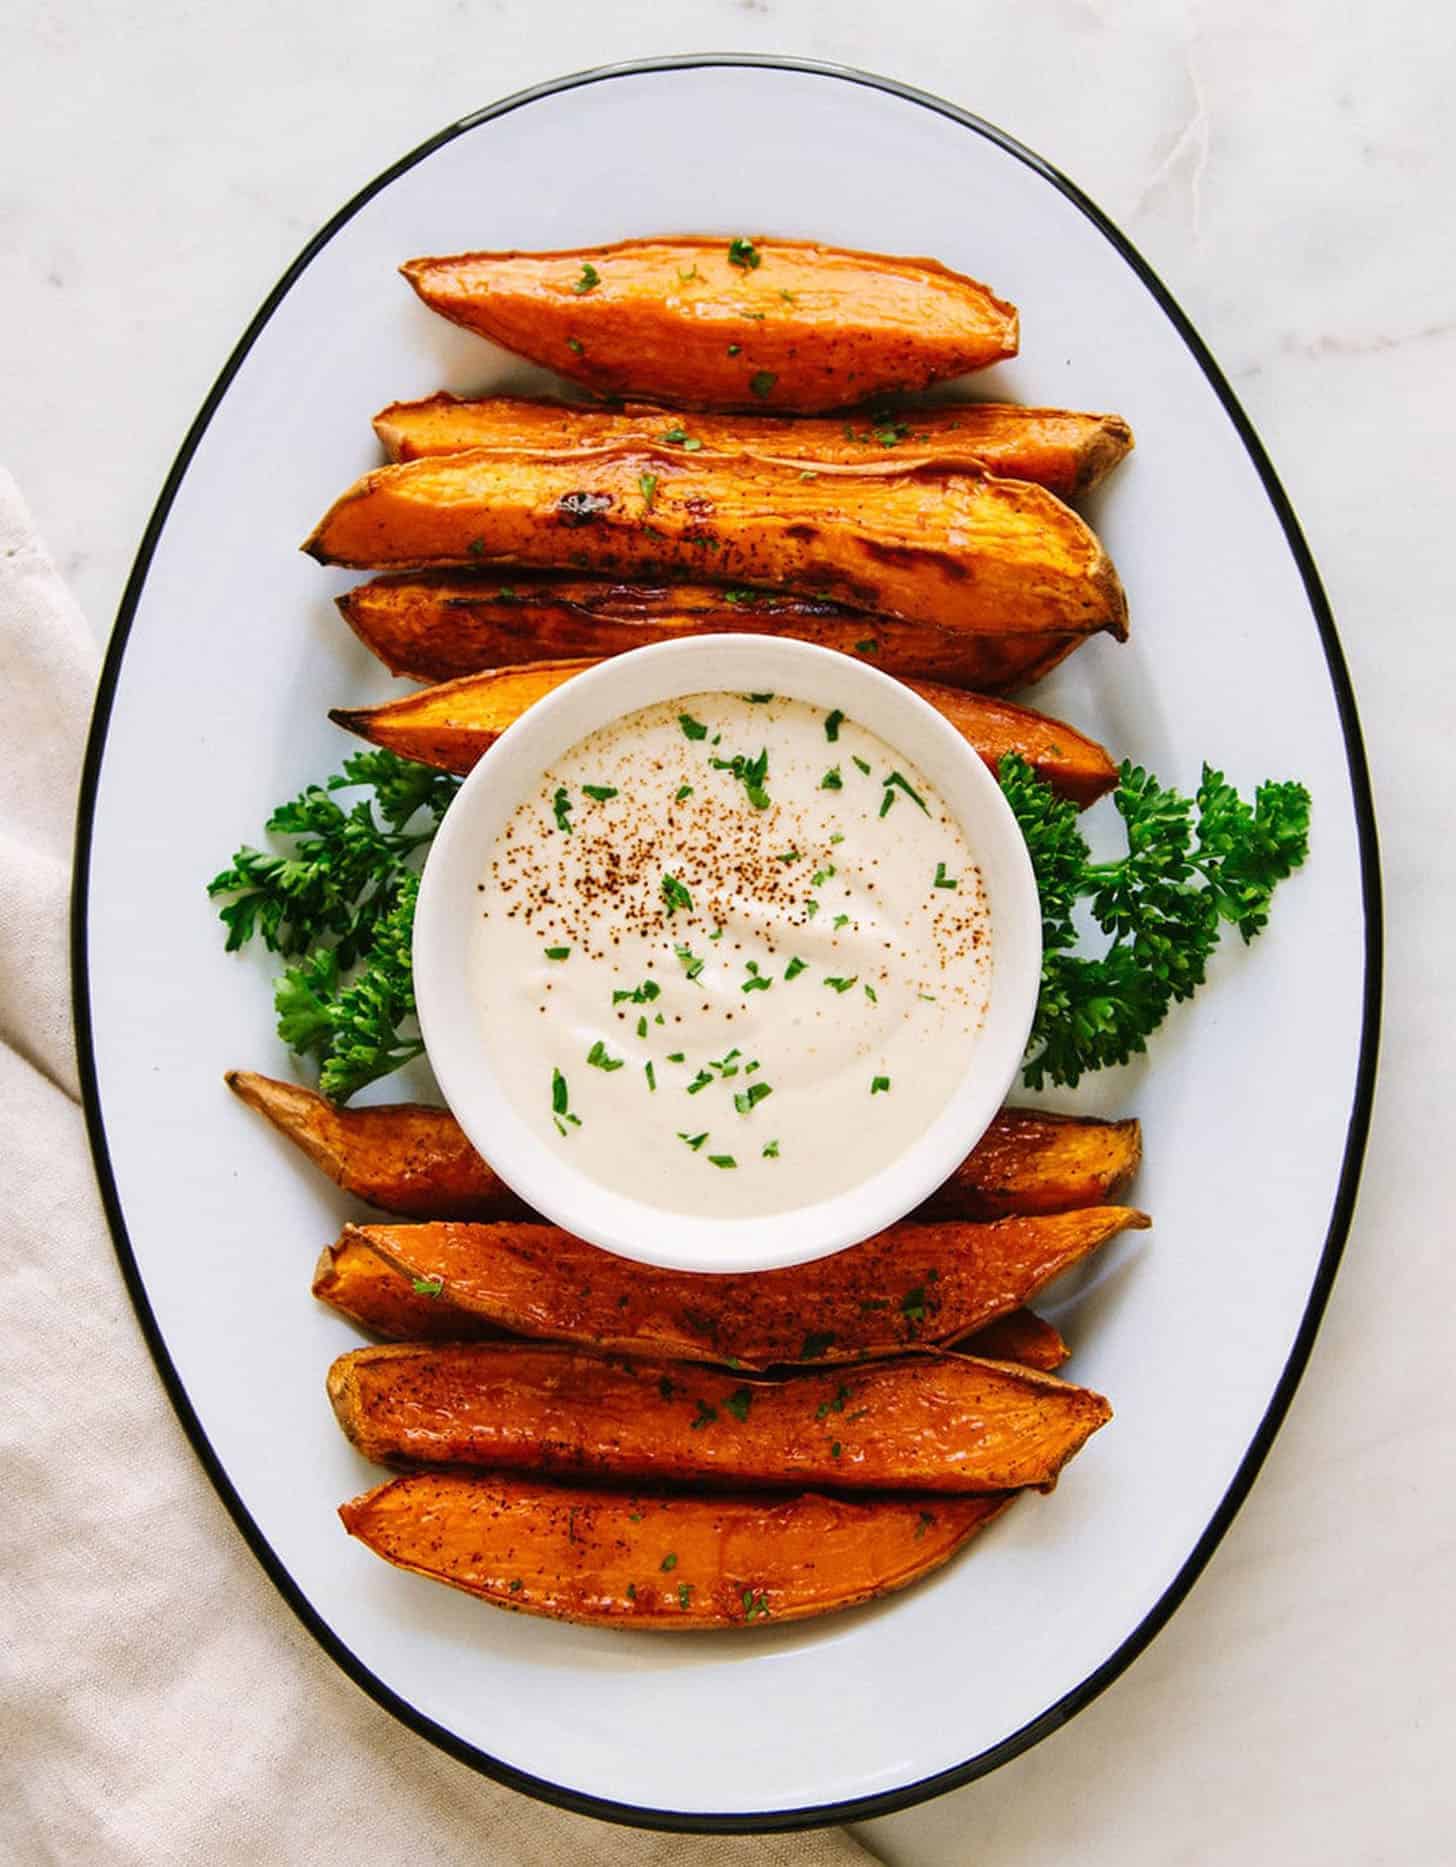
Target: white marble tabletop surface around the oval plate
x=1289 y=171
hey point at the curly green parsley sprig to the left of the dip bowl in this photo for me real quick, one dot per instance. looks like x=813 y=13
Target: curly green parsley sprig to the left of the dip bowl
x=344 y=901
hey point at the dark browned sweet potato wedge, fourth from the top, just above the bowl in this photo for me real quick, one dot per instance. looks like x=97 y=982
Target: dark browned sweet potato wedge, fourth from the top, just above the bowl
x=436 y=626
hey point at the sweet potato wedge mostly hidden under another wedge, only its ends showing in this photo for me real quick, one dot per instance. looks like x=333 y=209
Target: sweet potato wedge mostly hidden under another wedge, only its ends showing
x=361 y=1285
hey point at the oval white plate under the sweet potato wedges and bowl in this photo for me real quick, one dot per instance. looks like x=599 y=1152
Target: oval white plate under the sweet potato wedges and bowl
x=1255 y=1101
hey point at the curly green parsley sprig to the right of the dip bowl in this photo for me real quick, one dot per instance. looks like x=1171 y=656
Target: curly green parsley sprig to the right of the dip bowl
x=1164 y=905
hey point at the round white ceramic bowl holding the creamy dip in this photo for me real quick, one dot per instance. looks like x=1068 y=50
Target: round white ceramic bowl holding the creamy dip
x=471 y=1073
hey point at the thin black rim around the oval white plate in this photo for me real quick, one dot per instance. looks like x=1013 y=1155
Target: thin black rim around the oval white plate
x=1071 y=1704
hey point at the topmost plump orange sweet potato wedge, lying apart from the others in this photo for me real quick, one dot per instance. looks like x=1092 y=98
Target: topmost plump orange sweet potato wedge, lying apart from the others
x=727 y=326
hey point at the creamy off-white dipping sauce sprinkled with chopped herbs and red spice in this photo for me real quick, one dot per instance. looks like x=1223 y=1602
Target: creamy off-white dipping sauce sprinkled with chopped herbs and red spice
x=723 y=987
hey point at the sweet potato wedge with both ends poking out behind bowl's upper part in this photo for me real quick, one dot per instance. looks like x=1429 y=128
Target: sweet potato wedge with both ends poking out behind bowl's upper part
x=453 y=725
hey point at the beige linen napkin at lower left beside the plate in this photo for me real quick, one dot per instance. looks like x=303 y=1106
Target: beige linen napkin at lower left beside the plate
x=158 y=1700
